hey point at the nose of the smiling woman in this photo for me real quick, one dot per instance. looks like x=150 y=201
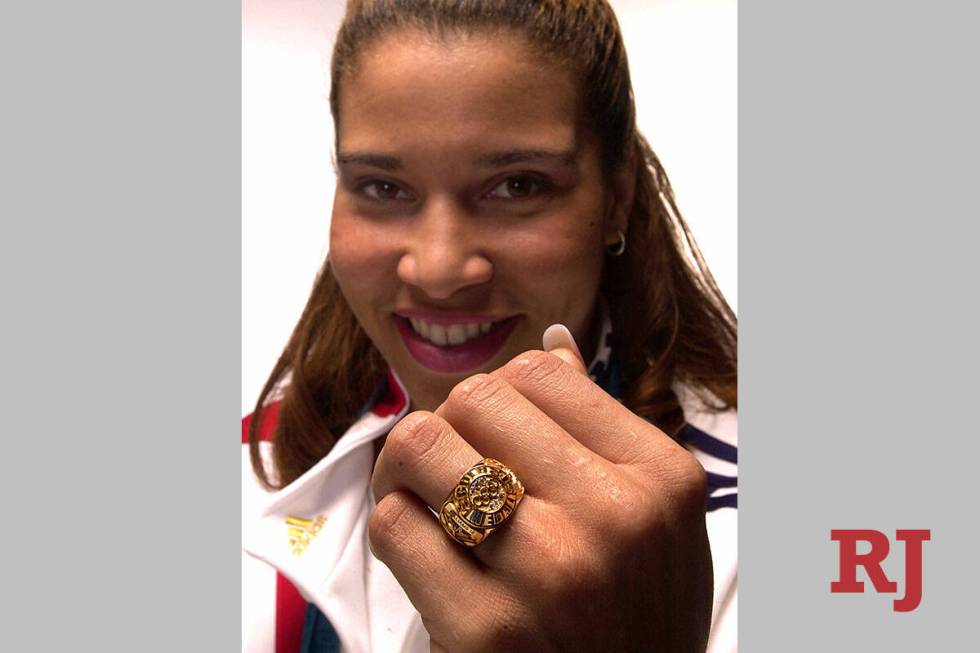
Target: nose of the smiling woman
x=444 y=253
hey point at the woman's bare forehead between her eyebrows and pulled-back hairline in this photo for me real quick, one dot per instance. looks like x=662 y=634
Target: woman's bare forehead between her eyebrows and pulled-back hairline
x=466 y=92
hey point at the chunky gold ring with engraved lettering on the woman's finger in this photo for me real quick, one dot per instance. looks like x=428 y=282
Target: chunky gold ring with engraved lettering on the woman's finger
x=485 y=497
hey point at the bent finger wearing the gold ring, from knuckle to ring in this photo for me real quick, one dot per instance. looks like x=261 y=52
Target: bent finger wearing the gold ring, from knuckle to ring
x=424 y=455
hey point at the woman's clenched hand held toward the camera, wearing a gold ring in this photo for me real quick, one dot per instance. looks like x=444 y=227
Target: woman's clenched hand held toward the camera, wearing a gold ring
x=608 y=550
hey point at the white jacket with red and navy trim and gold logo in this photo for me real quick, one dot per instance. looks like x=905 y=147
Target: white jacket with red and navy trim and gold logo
x=312 y=535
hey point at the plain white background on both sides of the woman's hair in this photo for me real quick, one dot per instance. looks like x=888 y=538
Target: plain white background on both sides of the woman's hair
x=683 y=57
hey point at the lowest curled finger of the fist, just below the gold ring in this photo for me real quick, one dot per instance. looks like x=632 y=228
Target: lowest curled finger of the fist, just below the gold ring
x=434 y=571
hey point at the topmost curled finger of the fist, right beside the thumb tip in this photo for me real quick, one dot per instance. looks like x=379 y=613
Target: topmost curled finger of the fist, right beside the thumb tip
x=584 y=410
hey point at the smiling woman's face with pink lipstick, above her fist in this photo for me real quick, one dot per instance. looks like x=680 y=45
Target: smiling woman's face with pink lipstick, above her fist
x=470 y=211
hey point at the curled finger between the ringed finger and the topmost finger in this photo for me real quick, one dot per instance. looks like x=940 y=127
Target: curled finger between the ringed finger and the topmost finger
x=501 y=423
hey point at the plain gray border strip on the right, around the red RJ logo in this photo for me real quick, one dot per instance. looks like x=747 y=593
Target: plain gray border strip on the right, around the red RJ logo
x=858 y=140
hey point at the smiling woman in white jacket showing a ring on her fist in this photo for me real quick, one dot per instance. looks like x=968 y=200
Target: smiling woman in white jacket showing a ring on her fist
x=491 y=183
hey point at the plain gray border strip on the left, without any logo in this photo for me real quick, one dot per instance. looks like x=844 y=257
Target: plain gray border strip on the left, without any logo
x=120 y=255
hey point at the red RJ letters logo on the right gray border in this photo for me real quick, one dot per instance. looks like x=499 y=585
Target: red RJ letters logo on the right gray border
x=871 y=561
